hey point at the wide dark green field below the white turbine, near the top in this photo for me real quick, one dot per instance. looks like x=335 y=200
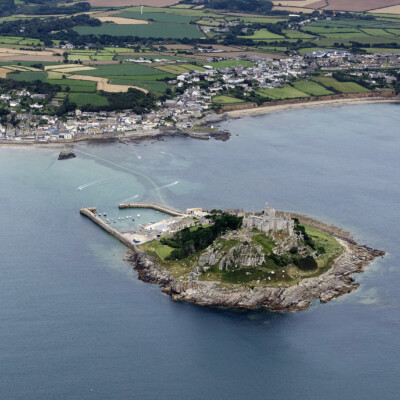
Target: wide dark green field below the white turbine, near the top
x=153 y=30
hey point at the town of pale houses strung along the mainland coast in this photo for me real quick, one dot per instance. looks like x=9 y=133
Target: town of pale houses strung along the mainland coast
x=193 y=103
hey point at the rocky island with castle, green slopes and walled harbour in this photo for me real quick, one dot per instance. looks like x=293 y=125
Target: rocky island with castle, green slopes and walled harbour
x=235 y=259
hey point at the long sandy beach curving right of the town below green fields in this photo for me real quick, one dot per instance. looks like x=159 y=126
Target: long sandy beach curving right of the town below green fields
x=250 y=112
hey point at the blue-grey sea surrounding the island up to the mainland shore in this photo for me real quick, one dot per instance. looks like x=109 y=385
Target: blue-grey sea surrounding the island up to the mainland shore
x=75 y=323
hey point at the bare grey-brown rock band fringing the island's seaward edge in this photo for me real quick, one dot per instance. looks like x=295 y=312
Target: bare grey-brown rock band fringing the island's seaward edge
x=333 y=283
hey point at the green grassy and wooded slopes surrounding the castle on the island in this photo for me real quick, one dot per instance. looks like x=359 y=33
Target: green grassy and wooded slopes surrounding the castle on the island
x=310 y=254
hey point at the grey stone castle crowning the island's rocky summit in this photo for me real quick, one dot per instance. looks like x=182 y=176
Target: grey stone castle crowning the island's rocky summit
x=269 y=222
